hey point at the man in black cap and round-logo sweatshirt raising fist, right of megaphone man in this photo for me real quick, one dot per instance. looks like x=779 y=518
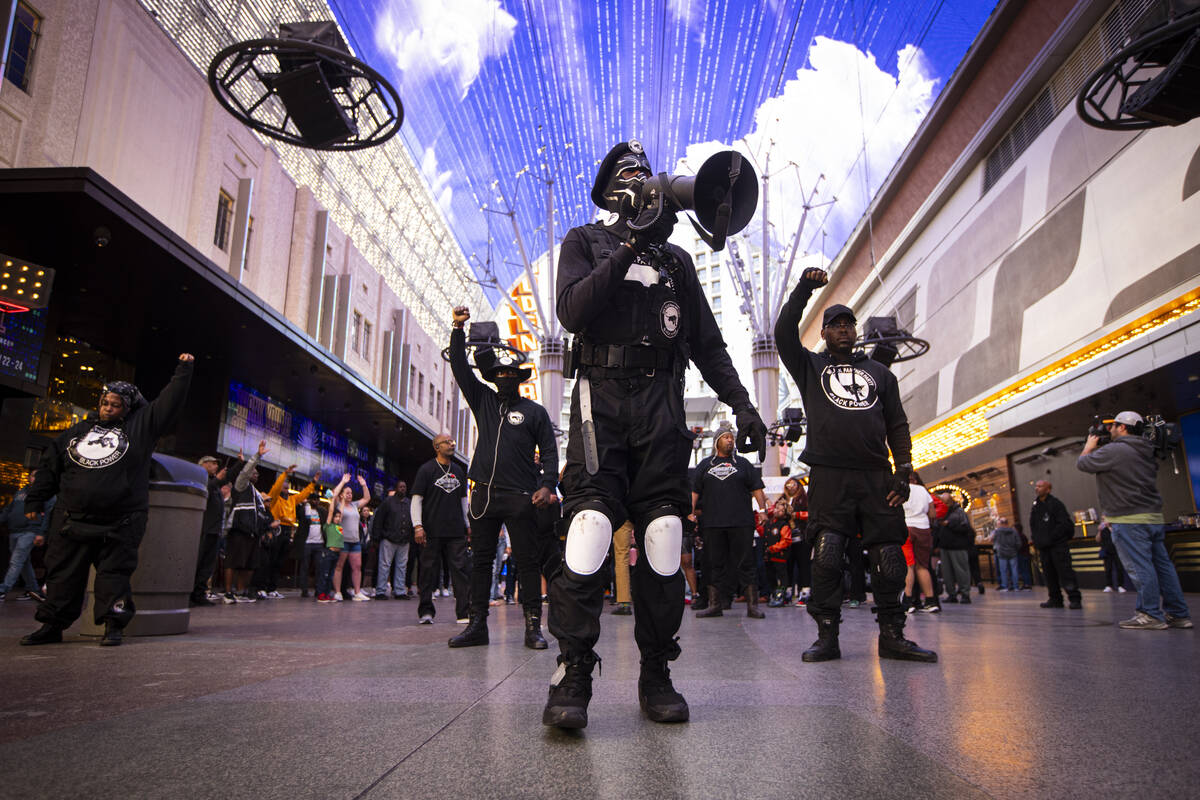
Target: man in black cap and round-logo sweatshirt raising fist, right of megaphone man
x=855 y=419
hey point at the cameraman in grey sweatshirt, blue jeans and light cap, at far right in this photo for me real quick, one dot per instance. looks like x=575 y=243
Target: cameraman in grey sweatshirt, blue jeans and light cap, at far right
x=1126 y=474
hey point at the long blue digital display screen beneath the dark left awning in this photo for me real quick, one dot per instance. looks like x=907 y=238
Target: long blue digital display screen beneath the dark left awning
x=295 y=440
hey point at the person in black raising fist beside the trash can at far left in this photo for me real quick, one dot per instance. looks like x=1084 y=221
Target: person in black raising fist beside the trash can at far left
x=100 y=470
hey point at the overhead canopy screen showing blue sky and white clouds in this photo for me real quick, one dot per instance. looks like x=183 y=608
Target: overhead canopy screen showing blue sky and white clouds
x=502 y=97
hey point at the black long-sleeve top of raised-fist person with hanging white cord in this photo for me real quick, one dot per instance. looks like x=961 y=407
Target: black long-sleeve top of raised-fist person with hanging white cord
x=508 y=432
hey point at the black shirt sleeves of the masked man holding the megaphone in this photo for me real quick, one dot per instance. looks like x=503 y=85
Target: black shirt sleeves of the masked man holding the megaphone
x=598 y=300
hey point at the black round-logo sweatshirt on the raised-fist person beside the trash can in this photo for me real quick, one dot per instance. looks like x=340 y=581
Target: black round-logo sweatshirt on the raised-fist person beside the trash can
x=101 y=472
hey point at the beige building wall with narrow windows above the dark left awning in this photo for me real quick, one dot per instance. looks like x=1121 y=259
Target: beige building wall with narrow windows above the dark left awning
x=111 y=92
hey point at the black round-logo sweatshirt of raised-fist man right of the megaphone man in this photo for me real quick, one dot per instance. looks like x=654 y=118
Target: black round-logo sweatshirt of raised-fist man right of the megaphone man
x=853 y=405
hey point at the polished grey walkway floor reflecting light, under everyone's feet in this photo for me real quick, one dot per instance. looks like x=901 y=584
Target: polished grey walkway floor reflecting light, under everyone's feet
x=292 y=700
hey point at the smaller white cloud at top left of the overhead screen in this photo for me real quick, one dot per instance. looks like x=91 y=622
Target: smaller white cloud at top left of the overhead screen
x=454 y=38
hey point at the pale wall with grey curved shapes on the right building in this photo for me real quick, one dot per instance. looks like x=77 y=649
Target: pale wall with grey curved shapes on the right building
x=1087 y=232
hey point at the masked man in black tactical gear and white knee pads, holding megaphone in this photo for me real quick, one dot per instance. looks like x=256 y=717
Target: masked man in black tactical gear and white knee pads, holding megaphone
x=639 y=315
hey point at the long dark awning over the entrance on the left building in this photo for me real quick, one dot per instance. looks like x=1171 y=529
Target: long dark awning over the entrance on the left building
x=147 y=296
